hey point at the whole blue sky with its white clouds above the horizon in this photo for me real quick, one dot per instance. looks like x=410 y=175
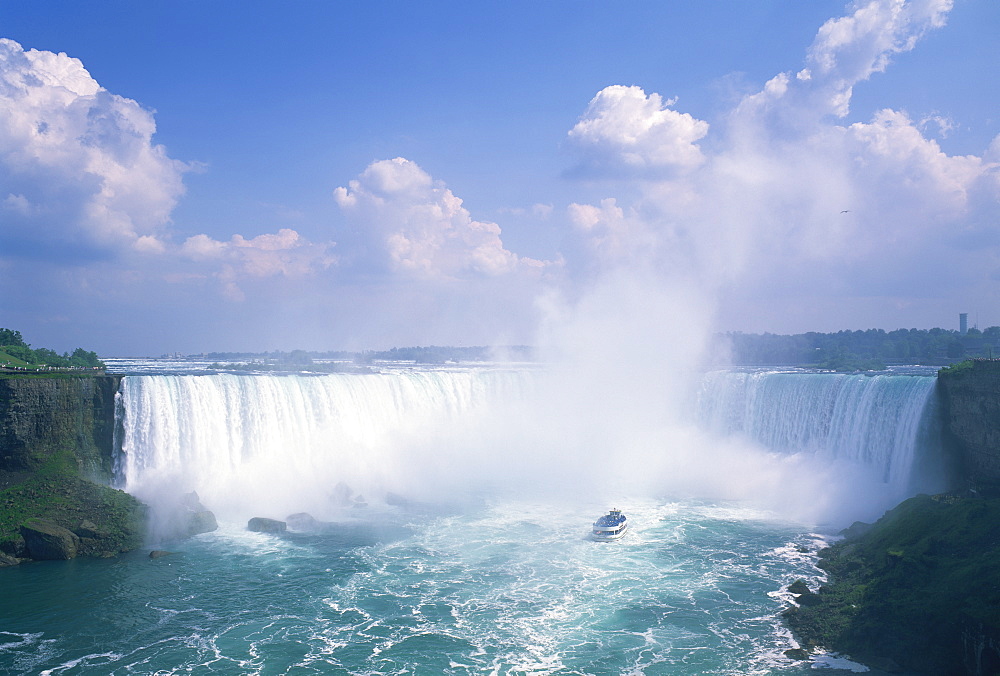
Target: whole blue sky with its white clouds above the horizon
x=197 y=176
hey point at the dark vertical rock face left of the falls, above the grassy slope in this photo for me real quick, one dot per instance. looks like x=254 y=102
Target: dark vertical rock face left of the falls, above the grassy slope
x=41 y=418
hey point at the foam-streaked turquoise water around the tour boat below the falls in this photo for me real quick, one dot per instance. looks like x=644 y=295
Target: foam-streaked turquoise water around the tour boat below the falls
x=507 y=588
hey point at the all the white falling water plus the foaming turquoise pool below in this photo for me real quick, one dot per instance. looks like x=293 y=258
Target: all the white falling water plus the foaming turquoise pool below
x=444 y=542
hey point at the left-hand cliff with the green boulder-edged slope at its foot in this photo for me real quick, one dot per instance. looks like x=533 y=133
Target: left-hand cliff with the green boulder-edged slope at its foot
x=56 y=452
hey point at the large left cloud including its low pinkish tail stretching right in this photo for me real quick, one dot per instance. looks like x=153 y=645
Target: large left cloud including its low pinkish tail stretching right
x=85 y=180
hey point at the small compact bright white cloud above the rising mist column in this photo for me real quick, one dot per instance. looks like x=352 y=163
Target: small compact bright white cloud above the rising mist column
x=625 y=131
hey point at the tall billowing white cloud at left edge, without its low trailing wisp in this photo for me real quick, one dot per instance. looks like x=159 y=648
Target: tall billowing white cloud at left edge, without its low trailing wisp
x=79 y=160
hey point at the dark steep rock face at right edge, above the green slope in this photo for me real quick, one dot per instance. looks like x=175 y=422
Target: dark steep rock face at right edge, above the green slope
x=970 y=395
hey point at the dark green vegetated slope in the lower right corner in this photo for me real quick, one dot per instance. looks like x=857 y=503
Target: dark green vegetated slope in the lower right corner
x=918 y=587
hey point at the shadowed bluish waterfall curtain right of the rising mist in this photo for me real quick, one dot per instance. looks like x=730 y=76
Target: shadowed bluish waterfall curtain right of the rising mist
x=884 y=423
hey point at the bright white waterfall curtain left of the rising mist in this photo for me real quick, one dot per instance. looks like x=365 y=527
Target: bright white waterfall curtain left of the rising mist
x=258 y=440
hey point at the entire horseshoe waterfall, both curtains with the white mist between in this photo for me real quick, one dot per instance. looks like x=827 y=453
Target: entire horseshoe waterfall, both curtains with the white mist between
x=282 y=444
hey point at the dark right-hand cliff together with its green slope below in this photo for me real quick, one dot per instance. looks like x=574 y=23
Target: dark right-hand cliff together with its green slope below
x=919 y=590
